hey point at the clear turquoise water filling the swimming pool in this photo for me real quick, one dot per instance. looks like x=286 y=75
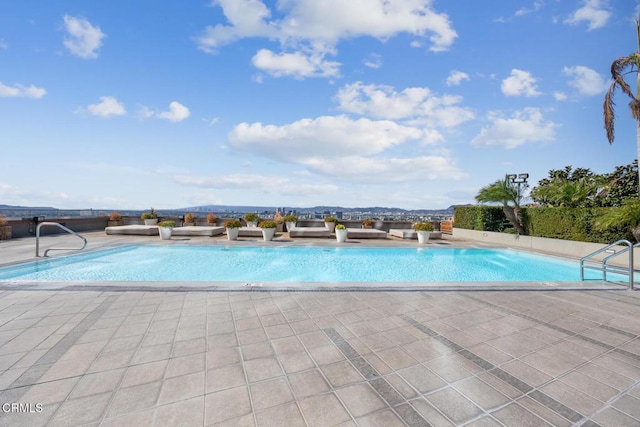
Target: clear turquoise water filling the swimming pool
x=299 y=264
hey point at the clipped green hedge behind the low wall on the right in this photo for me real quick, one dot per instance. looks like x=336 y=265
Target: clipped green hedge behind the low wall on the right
x=559 y=223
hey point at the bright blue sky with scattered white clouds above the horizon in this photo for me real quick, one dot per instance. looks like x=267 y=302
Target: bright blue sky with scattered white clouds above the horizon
x=405 y=103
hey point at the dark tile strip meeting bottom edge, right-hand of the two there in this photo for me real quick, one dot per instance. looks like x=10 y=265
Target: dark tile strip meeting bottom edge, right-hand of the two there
x=526 y=389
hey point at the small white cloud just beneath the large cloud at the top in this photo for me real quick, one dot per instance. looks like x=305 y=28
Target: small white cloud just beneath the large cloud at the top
x=296 y=64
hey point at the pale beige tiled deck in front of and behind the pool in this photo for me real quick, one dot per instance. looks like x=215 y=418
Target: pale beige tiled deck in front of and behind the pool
x=155 y=357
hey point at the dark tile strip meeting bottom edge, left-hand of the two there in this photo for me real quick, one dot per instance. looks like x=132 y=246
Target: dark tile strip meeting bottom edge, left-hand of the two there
x=389 y=395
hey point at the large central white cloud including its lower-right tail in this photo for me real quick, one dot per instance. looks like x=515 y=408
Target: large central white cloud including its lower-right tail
x=347 y=149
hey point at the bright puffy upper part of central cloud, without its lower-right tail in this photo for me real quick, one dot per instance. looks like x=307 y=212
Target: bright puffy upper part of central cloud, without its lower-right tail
x=324 y=137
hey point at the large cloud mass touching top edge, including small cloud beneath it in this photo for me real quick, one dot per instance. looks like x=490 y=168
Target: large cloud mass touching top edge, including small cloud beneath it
x=308 y=30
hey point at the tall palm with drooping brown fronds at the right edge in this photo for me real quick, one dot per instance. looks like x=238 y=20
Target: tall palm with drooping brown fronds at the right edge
x=619 y=69
